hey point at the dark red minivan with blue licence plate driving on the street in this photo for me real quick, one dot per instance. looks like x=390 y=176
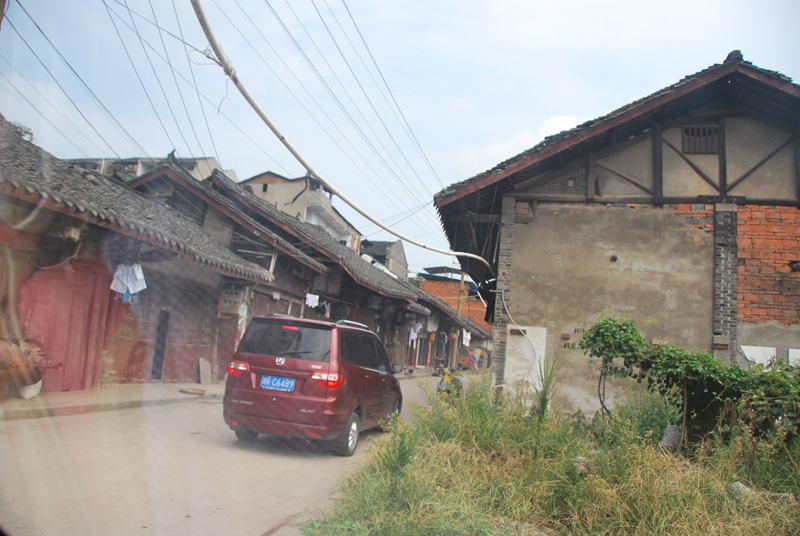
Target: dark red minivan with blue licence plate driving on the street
x=305 y=378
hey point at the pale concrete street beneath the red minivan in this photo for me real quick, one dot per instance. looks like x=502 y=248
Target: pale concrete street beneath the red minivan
x=172 y=469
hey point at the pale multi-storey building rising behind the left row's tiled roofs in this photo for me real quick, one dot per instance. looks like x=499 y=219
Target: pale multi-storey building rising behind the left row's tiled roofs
x=308 y=200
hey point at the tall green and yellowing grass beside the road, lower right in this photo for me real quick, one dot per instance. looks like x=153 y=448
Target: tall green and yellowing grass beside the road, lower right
x=482 y=464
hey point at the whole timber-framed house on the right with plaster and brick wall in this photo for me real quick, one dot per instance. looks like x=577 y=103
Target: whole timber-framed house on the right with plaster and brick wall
x=680 y=208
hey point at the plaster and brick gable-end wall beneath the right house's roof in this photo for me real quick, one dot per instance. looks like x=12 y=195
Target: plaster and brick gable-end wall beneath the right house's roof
x=692 y=273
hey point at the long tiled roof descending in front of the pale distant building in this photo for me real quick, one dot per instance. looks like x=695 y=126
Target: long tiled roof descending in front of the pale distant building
x=360 y=270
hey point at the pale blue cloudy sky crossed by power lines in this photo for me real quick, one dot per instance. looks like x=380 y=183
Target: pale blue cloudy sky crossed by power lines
x=390 y=101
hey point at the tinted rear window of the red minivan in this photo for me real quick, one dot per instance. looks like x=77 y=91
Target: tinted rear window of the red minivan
x=288 y=340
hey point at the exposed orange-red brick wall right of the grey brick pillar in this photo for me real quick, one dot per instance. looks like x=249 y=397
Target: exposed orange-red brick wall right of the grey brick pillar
x=769 y=240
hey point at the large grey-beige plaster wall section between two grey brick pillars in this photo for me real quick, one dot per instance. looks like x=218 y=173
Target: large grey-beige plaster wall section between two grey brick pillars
x=574 y=263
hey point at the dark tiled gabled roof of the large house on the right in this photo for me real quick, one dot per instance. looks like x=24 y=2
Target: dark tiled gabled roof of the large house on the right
x=774 y=93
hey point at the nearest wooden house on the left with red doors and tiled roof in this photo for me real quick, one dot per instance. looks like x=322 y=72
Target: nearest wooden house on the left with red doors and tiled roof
x=68 y=234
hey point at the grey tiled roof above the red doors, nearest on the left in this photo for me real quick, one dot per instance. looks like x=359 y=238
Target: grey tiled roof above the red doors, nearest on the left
x=31 y=173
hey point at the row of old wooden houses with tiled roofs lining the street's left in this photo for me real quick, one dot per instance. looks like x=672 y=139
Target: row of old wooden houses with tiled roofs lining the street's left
x=208 y=254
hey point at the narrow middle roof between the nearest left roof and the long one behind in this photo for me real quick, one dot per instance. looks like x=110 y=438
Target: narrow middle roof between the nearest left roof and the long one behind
x=205 y=190
